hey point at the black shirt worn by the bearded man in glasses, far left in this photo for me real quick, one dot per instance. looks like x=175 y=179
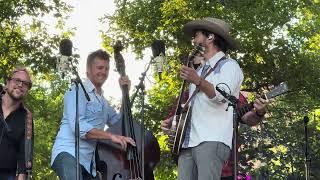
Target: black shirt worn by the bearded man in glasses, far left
x=12 y=140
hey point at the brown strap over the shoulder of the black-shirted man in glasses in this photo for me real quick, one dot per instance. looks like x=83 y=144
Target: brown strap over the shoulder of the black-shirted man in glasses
x=28 y=143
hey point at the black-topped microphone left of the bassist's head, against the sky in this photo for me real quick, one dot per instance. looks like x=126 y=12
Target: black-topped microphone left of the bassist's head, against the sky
x=65 y=49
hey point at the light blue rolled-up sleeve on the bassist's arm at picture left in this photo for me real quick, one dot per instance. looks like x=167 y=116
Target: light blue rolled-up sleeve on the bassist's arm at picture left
x=70 y=112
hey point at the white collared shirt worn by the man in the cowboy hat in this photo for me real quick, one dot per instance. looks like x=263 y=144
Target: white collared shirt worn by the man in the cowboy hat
x=209 y=120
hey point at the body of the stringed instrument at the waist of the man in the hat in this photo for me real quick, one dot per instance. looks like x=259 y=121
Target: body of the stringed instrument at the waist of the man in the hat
x=179 y=131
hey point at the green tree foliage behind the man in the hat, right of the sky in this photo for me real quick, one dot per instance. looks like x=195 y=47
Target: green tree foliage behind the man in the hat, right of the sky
x=279 y=42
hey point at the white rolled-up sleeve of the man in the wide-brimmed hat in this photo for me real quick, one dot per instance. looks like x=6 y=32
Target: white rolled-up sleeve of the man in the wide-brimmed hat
x=229 y=78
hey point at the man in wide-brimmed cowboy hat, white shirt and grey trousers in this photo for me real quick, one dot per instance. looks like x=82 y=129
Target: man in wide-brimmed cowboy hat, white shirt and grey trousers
x=208 y=138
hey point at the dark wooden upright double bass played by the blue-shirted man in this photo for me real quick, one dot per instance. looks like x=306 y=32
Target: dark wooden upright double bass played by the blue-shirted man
x=113 y=162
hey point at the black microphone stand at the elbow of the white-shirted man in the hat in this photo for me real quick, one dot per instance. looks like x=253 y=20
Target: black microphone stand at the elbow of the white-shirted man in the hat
x=233 y=101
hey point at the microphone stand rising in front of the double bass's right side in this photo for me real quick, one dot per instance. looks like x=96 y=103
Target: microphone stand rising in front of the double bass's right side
x=141 y=87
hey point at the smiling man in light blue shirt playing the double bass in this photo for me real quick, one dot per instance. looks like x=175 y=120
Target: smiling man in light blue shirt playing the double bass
x=93 y=115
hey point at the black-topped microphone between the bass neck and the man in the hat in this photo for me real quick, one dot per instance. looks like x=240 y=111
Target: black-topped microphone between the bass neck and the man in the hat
x=158 y=52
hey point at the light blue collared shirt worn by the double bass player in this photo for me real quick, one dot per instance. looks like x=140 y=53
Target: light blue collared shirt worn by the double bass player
x=95 y=113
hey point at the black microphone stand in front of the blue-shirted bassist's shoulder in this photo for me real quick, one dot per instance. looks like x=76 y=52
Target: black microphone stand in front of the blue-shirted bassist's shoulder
x=78 y=81
